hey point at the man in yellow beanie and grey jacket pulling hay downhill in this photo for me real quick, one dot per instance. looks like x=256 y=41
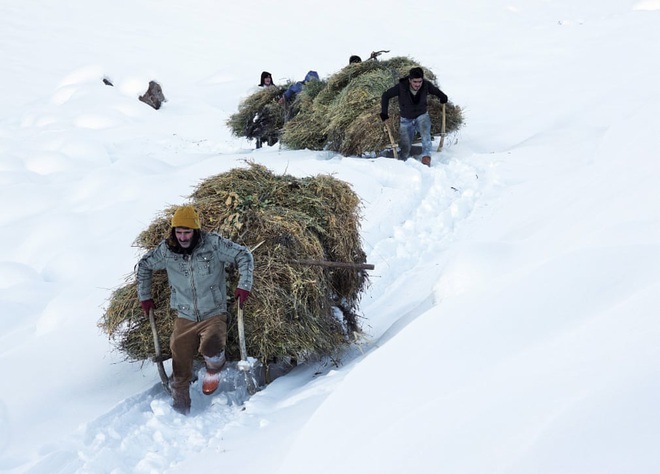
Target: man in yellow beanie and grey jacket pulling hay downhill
x=195 y=263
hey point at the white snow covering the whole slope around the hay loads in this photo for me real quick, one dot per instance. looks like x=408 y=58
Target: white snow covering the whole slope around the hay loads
x=511 y=325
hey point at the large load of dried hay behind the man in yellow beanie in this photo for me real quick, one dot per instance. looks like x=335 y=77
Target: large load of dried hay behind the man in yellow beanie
x=295 y=311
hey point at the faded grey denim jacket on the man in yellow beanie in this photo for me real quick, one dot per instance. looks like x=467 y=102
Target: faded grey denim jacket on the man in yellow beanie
x=197 y=281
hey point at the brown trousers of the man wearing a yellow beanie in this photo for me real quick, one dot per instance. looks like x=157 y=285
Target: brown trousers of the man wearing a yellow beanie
x=207 y=337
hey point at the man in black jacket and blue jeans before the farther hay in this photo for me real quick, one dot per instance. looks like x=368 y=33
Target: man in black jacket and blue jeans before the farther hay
x=413 y=91
